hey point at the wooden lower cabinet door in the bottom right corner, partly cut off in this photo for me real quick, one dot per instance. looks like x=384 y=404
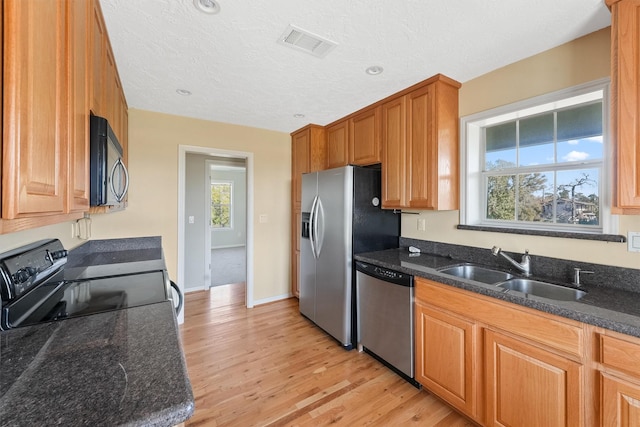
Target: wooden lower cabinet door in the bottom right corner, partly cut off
x=620 y=402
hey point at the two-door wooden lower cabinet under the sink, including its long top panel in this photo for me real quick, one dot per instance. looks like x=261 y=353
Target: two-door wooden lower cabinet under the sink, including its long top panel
x=499 y=363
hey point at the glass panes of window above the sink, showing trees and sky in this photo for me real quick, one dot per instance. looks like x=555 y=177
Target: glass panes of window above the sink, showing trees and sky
x=546 y=168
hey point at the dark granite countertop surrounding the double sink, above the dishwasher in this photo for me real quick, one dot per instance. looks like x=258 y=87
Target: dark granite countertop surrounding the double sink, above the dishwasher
x=610 y=307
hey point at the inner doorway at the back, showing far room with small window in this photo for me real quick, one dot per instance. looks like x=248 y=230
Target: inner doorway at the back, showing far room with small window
x=225 y=228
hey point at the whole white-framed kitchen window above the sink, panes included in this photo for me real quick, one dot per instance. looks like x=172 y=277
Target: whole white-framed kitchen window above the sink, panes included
x=541 y=164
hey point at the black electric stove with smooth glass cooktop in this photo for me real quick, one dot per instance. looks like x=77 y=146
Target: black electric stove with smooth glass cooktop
x=36 y=287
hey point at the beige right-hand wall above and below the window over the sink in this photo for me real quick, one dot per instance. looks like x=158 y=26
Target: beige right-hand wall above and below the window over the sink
x=574 y=63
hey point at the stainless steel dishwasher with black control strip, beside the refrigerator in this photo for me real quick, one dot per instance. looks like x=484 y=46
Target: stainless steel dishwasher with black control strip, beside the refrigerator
x=384 y=317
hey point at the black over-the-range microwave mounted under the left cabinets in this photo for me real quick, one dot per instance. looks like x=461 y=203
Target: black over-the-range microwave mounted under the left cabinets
x=109 y=176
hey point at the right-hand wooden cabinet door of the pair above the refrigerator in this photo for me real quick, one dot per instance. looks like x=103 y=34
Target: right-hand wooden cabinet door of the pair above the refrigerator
x=364 y=137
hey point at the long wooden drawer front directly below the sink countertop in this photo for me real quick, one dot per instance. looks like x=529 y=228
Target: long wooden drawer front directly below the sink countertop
x=556 y=332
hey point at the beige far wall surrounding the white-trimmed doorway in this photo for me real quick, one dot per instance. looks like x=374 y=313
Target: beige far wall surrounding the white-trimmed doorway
x=153 y=196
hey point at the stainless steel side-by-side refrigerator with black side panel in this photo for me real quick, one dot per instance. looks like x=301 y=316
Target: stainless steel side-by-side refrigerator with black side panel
x=341 y=216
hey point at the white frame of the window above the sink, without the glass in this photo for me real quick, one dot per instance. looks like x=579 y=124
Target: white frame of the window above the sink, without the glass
x=473 y=200
